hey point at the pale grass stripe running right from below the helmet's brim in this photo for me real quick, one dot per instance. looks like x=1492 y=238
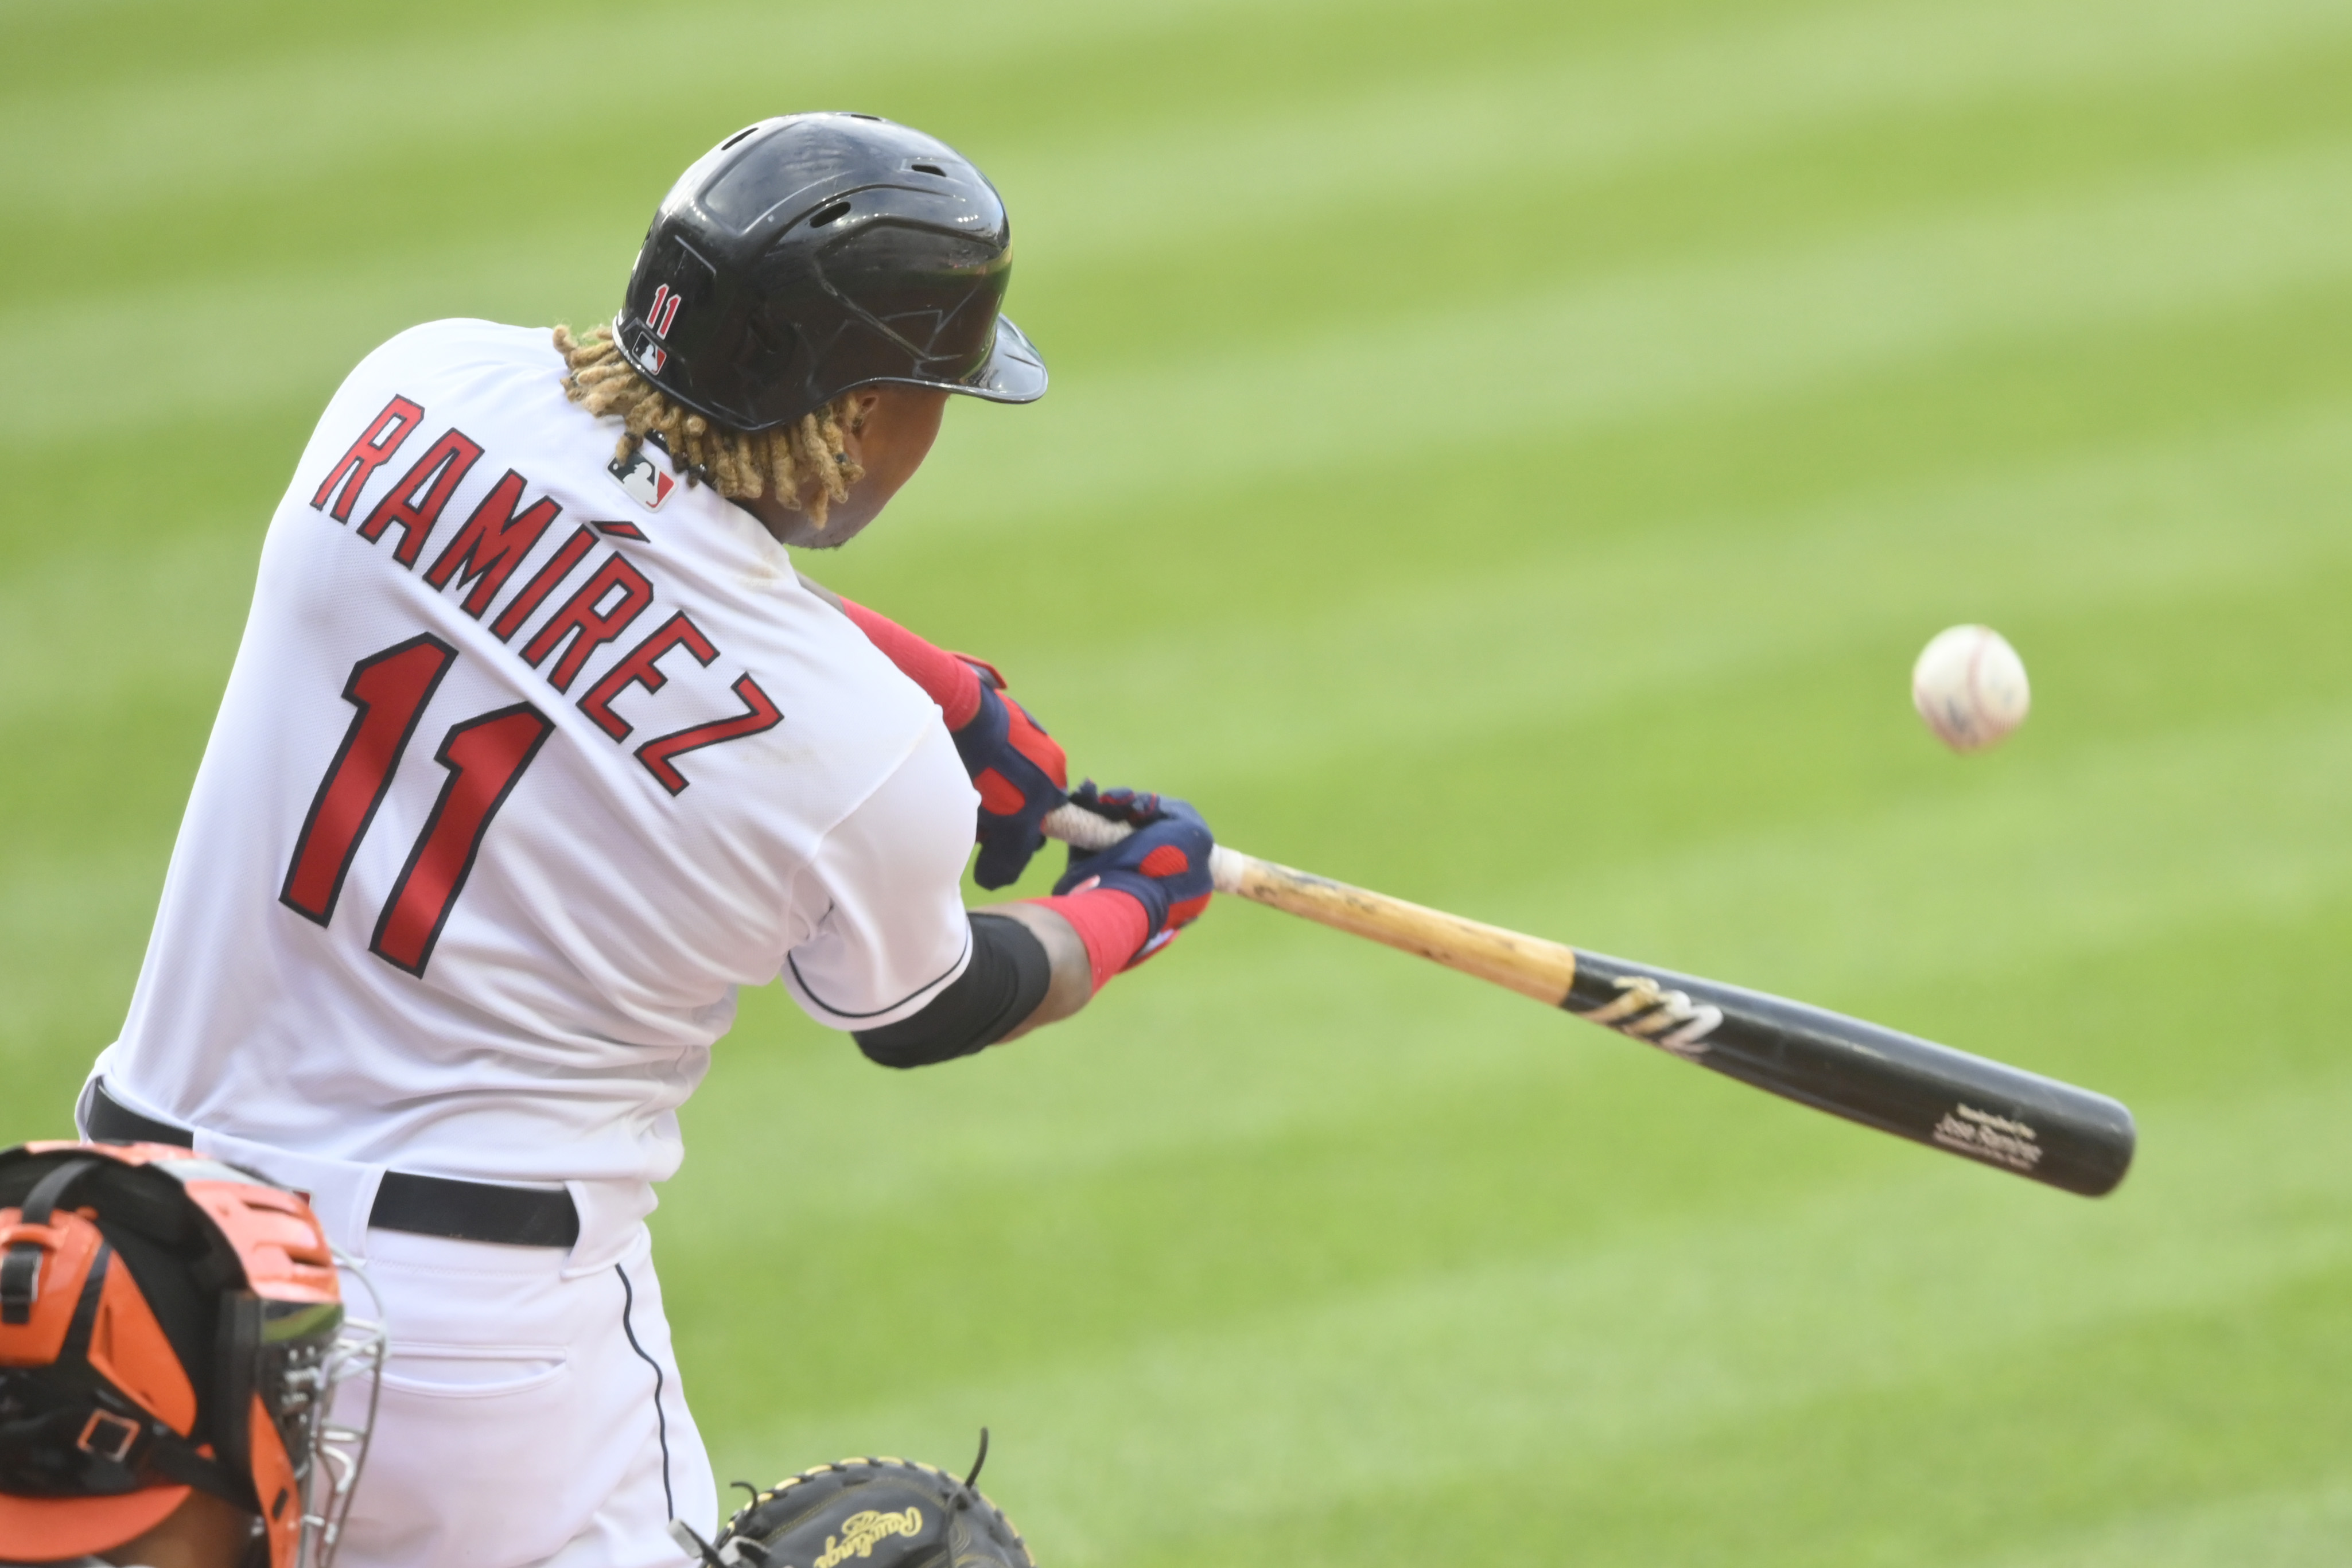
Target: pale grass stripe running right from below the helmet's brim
x=1671 y=340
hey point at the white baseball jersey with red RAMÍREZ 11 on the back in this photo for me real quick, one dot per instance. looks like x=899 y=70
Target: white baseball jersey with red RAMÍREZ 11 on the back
x=526 y=765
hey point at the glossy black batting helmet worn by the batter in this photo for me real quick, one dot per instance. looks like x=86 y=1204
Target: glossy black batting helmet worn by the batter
x=813 y=255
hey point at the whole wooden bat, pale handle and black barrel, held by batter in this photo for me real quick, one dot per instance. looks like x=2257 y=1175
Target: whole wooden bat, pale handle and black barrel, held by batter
x=1895 y=1083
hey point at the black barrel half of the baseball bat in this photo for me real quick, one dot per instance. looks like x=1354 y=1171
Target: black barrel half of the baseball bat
x=1902 y=1085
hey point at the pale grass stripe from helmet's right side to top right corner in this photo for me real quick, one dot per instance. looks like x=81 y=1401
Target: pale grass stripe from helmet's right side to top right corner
x=1516 y=121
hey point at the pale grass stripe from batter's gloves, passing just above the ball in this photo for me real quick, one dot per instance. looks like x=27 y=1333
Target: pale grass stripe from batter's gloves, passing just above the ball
x=1591 y=626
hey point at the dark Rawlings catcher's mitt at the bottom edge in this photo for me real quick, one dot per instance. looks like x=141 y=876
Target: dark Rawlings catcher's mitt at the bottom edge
x=874 y=1515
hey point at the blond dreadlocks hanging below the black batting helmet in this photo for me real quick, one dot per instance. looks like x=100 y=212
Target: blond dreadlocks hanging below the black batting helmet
x=791 y=460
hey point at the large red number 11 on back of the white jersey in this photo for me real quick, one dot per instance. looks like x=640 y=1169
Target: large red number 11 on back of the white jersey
x=486 y=758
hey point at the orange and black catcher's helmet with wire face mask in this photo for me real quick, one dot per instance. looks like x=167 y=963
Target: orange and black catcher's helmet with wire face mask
x=168 y=1325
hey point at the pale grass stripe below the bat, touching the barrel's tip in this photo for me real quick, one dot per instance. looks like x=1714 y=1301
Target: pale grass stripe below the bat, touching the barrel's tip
x=1629 y=1346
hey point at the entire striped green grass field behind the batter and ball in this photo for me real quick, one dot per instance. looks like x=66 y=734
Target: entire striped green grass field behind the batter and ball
x=1504 y=455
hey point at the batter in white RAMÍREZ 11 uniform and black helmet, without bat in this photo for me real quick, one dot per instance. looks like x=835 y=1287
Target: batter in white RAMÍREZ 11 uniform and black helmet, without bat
x=537 y=751
